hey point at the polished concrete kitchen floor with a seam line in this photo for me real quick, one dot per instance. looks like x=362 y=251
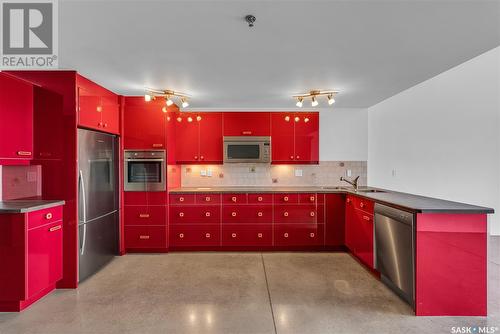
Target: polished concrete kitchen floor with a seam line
x=237 y=293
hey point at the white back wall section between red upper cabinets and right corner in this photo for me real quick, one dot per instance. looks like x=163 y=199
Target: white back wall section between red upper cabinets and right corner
x=343 y=134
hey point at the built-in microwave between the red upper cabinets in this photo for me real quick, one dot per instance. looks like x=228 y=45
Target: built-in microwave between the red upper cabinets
x=247 y=149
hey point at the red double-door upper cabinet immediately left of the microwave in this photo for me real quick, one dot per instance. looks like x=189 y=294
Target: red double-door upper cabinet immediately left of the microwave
x=199 y=138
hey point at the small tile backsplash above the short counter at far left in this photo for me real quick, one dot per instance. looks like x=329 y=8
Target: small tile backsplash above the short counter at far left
x=20 y=182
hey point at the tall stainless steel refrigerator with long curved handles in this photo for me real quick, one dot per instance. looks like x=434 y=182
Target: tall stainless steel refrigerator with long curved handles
x=97 y=201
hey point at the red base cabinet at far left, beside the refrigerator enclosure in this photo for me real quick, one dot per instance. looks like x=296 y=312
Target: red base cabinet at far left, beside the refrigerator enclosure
x=31 y=249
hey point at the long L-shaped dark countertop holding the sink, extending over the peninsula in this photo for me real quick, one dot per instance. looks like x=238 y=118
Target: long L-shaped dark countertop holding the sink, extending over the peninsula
x=415 y=203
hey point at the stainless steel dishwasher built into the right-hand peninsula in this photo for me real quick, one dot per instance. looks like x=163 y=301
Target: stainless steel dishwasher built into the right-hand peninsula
x=395 y=250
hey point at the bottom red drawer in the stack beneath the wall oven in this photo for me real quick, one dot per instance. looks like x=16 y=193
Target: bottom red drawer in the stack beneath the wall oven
x=145 y=237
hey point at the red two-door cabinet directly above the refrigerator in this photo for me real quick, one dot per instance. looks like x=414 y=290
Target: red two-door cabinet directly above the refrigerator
x=98 y=108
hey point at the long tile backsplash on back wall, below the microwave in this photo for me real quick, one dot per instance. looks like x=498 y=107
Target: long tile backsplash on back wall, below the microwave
x=327 y=173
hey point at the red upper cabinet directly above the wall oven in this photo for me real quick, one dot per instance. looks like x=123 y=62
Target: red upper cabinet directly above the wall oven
x=145 y=123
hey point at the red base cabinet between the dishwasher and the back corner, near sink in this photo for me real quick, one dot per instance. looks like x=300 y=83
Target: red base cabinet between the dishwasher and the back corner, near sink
x=359 y=228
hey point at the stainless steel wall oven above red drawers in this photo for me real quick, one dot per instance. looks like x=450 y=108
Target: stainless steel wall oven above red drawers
x=144 y=170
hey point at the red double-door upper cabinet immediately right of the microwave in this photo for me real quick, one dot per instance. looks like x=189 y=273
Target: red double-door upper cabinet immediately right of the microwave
x=295 y=137
